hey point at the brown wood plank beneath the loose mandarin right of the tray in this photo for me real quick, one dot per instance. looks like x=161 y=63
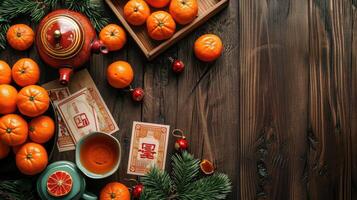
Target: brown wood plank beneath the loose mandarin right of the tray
x=197 y=101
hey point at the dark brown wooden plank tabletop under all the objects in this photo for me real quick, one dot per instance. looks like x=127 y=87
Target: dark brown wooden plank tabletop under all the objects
x=277 y=112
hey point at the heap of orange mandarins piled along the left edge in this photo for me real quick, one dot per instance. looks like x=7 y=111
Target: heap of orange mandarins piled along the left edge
x=23 y=127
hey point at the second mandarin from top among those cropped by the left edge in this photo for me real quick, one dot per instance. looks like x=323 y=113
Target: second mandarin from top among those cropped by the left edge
x=8 y=95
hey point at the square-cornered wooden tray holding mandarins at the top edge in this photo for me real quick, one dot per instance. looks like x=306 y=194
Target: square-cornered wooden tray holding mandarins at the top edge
x=152 y=48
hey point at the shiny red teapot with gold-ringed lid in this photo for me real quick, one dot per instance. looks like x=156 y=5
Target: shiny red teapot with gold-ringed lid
x=65 y=40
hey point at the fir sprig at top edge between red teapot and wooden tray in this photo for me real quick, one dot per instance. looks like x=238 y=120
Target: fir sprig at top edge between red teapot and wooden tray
x=92 y=9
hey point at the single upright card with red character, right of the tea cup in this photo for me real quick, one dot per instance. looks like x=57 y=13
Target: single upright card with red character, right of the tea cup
x=148 y=147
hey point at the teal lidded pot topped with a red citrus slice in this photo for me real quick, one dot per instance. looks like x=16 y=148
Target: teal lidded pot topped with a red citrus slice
x=69 y=172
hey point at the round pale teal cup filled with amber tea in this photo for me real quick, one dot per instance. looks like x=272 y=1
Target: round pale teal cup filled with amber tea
x=95 y=149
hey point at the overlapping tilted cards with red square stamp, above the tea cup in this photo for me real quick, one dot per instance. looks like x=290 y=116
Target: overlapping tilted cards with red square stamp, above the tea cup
x=80 y=109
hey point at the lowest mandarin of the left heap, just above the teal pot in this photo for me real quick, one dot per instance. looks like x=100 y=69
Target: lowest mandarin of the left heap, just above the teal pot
x=31 y=159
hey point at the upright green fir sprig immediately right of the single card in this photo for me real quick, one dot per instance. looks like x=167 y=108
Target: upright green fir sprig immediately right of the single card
x=185 y=169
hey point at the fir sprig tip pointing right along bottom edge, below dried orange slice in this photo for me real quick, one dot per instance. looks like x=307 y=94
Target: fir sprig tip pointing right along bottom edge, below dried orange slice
x=212 y=187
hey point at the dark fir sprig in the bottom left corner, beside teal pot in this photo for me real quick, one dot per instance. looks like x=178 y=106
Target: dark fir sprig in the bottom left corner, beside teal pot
x=17 y=190
